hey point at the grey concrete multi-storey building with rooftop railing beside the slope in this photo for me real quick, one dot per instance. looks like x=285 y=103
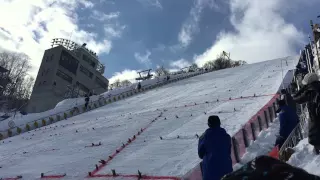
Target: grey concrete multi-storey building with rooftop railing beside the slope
x=67 y=70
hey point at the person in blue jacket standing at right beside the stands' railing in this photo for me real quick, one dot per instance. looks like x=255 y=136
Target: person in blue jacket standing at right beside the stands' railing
x=288 y=121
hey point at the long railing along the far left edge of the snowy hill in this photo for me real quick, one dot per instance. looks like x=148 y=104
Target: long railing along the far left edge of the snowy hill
x=80 y=109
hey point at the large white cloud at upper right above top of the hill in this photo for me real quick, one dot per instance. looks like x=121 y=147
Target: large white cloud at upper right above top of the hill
x=260 y=33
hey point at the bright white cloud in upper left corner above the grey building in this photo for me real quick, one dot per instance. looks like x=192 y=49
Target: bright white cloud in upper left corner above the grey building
x=29 y=26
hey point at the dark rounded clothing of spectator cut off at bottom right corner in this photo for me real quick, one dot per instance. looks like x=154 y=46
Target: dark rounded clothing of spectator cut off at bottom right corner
x=266 y=168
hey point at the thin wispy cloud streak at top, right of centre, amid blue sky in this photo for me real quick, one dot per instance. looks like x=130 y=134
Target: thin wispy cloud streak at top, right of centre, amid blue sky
x=190 y=26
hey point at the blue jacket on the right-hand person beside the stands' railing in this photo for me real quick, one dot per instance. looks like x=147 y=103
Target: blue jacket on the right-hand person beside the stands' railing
x=288 y=121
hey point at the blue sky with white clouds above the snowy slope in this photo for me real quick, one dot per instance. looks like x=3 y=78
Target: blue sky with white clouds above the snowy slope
x=131 y=35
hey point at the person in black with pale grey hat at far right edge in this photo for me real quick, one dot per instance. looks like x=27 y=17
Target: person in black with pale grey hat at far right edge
x=310 y=94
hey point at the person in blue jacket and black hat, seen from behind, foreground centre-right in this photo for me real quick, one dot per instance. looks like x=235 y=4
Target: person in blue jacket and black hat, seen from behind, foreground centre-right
x=215 y=149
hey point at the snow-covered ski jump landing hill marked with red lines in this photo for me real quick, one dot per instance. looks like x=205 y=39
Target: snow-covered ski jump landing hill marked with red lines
x=153 y=135
